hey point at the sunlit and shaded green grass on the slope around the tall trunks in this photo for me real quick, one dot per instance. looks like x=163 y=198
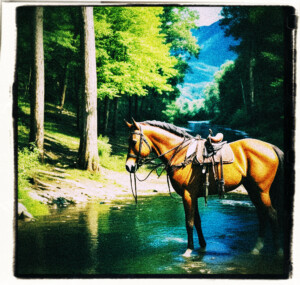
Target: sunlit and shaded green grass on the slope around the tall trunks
x=61 y=145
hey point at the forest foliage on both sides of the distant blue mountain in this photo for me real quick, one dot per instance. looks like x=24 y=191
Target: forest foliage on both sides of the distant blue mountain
x=142 y=56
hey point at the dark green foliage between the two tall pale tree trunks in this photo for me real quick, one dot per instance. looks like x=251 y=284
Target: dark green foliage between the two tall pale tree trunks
x=61 y=40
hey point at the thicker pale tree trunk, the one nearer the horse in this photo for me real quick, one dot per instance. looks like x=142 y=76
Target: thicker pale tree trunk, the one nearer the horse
x=88 y=150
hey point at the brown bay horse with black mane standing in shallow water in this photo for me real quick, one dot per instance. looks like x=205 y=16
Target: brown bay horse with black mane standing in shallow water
x=257 y=165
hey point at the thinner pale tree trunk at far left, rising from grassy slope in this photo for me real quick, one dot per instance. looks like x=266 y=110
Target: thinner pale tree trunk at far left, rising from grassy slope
x=38 y=94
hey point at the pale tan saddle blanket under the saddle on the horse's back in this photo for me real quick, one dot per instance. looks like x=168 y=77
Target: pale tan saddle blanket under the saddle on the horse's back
x=198 y=150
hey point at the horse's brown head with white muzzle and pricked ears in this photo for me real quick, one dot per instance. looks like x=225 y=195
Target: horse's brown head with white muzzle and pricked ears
x=139 y=147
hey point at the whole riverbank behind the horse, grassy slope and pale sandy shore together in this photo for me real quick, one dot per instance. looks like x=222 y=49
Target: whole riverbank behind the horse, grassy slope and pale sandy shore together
x=58 y=183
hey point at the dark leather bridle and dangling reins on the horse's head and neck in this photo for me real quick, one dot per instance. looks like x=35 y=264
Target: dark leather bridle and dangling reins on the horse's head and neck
x=142 y=161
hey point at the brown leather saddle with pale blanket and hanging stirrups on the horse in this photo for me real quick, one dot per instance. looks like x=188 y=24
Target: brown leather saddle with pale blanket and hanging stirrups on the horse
x=209 y=153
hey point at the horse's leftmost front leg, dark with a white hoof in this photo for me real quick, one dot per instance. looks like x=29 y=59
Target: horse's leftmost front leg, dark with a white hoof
x=189 y=203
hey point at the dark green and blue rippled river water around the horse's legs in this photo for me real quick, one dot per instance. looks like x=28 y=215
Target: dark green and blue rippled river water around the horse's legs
x=123 y=239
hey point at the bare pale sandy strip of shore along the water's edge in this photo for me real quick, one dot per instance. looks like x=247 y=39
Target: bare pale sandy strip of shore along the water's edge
x=58 y=190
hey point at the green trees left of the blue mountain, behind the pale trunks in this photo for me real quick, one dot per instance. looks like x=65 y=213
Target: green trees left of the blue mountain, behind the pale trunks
x=140 y=51
